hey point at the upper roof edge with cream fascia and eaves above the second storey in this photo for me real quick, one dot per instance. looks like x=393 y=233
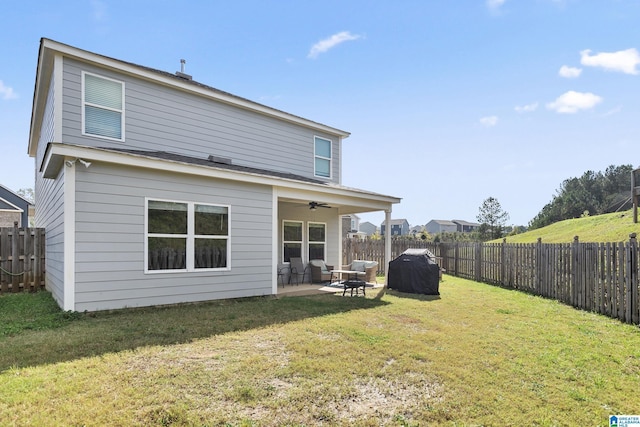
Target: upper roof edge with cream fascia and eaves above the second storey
x=45 y=66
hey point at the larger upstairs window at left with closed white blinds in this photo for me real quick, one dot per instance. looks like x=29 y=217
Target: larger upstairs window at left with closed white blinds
x=102 y=107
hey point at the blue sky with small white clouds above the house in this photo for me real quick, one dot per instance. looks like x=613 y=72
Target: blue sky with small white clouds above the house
x=448 y=103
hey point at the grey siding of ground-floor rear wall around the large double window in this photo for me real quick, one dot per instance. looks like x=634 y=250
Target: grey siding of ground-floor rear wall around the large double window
x=110 y=238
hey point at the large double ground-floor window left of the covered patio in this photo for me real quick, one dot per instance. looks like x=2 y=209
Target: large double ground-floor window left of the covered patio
x=186 y=236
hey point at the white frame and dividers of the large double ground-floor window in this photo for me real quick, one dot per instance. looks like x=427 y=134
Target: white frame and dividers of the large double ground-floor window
x=190 y=236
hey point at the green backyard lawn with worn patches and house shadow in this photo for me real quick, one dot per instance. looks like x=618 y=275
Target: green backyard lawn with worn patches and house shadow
x=478 y=355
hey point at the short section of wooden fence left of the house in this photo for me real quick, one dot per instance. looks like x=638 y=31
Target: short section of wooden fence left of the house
x=21 y=259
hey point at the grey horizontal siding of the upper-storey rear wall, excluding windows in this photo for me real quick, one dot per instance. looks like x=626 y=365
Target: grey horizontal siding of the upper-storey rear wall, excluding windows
x=162 y=118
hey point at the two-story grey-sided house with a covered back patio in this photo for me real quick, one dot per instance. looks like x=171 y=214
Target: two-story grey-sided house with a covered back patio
x=156 y=189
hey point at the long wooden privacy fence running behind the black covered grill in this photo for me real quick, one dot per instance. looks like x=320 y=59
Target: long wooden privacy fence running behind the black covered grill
x=599 y=277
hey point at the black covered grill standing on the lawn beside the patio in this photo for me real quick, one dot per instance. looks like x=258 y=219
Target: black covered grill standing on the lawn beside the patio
x=415 y=271
